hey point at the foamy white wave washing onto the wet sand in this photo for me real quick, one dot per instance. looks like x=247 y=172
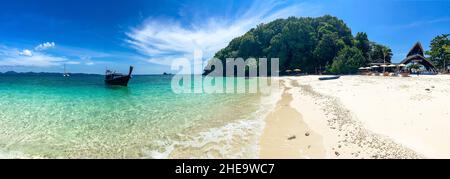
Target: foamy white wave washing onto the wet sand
x=239 y=139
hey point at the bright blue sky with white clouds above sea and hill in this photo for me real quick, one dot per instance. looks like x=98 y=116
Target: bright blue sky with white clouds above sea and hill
x=89 y=36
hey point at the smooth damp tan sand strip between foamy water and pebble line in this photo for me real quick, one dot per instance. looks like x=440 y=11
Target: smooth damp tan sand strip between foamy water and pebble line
x=286 y=135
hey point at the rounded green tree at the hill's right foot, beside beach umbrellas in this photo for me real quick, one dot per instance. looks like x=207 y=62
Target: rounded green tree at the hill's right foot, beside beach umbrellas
x=348 y=61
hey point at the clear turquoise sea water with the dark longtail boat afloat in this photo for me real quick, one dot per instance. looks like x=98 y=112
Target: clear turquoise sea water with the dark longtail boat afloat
x=49 y=116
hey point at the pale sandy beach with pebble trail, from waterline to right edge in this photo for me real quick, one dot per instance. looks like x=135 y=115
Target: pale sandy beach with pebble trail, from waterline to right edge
x=360 y=117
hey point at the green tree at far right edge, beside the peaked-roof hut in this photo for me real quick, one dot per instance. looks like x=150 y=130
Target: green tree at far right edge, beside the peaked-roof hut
x=439 y=52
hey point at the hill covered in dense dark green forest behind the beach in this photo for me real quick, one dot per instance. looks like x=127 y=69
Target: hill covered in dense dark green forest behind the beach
x=309 y=44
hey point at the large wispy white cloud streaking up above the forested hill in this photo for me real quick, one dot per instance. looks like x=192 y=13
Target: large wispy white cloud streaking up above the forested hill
x=165 y=40
